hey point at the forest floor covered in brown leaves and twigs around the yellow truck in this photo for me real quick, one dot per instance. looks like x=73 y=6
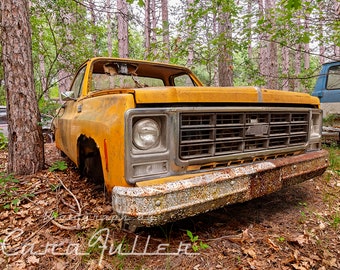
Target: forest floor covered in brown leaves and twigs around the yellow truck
x=55 y=220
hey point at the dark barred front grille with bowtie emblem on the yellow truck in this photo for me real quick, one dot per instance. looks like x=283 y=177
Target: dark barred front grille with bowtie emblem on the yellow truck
x=214 y=134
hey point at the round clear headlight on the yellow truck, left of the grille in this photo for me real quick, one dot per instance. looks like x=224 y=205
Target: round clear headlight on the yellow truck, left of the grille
x=146 y=134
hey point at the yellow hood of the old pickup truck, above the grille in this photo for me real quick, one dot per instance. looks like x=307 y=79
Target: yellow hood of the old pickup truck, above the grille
x=220 y=95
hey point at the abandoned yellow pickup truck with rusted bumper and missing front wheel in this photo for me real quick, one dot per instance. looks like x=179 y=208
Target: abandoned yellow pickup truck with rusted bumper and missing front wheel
x=166 y=147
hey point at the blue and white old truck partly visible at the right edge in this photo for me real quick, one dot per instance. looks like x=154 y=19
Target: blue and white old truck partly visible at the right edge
x=327 y=89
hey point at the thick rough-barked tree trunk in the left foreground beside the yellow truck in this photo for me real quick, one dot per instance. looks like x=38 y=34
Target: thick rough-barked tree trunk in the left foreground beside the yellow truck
x=26 y=146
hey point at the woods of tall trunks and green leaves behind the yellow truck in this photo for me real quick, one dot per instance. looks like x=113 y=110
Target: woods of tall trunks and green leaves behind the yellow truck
x=269 y=43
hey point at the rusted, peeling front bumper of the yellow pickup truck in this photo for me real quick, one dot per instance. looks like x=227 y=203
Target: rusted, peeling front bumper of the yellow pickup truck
x=159 y=204
